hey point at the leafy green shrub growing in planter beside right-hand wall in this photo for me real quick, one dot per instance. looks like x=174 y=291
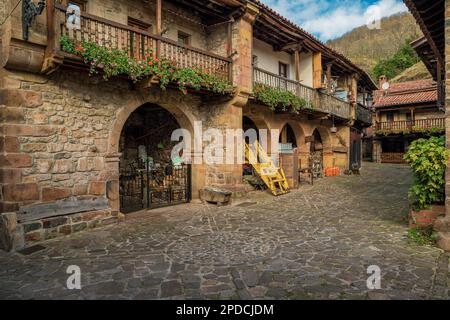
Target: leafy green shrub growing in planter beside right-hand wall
x=428 y=159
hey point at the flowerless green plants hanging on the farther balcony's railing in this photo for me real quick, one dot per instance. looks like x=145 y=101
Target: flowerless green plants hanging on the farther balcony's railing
x=278 y=99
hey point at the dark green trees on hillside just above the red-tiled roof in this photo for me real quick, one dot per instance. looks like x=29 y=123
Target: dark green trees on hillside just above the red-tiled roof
x=403 y=59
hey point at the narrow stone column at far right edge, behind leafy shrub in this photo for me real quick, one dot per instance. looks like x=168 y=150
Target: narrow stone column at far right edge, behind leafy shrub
x=443 y=224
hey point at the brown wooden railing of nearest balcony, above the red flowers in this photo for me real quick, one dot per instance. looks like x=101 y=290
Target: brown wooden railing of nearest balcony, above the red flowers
x=137 y=43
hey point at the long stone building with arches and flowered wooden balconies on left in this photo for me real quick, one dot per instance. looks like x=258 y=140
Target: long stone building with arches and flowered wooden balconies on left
x=81 y=139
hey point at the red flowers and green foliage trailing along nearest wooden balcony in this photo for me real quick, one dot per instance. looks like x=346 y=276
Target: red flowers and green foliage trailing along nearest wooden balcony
x=113 y=62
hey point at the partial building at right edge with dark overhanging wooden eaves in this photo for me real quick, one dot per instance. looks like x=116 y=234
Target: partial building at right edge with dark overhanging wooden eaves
x=434 y=50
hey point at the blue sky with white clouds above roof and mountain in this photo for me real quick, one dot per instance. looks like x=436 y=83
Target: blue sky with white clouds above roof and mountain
x=329 y=19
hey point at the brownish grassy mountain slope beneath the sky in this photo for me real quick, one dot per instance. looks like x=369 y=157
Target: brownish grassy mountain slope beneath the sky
x=367 y=47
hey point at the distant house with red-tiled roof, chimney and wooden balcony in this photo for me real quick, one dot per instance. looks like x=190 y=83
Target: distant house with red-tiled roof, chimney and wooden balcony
x=404 y=112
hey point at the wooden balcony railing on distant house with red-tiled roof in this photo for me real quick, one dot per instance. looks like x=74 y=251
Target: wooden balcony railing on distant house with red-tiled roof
x=416 y=126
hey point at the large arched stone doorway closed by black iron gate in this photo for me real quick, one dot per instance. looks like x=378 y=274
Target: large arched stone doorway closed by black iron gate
x=150 y=174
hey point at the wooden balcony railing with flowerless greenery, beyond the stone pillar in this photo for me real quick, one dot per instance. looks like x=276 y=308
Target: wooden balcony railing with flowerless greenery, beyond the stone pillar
x=316 y=101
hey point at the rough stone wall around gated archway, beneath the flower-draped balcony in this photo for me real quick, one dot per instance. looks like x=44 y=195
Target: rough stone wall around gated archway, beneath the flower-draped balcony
x=57 y=132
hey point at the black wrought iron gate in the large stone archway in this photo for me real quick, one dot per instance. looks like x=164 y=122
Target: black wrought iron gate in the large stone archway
x=142 y=186
